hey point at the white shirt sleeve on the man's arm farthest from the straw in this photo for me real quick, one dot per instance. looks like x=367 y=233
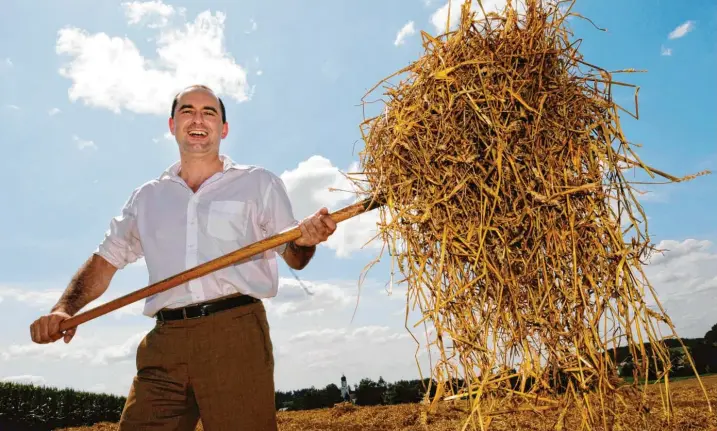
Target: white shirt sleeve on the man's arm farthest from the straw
x=121 y=245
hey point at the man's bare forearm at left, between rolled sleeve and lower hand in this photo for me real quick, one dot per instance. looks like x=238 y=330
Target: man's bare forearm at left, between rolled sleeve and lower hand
x=88 y=284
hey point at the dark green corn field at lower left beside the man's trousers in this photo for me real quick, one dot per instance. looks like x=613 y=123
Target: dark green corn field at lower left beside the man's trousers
x=29 y=407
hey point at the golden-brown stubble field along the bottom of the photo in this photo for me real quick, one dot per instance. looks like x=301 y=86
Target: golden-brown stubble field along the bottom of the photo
x=691 y=414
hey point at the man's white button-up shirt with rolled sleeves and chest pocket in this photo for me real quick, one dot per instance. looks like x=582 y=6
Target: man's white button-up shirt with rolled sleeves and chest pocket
x=175 y=229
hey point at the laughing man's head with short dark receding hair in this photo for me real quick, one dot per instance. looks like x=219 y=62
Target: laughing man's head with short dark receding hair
x=197 y=123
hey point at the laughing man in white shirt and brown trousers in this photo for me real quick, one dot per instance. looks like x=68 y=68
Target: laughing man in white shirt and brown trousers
x=209 y=354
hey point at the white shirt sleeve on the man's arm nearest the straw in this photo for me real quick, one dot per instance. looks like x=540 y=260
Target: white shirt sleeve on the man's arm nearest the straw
x=277 y=213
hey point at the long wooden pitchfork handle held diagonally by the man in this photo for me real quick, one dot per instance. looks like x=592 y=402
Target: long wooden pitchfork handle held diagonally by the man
x=213 y=265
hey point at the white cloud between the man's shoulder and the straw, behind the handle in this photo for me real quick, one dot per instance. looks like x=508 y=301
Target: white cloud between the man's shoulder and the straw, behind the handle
x=309 y=187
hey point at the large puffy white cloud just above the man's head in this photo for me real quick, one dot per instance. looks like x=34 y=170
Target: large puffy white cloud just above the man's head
x=109 y=72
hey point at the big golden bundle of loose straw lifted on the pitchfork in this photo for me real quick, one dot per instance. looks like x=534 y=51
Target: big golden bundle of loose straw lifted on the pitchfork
x=500 y=162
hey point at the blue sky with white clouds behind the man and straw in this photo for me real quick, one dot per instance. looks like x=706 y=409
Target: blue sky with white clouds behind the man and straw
x=85 y=96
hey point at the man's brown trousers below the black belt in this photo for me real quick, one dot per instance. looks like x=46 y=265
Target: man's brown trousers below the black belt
x=219 y=368
